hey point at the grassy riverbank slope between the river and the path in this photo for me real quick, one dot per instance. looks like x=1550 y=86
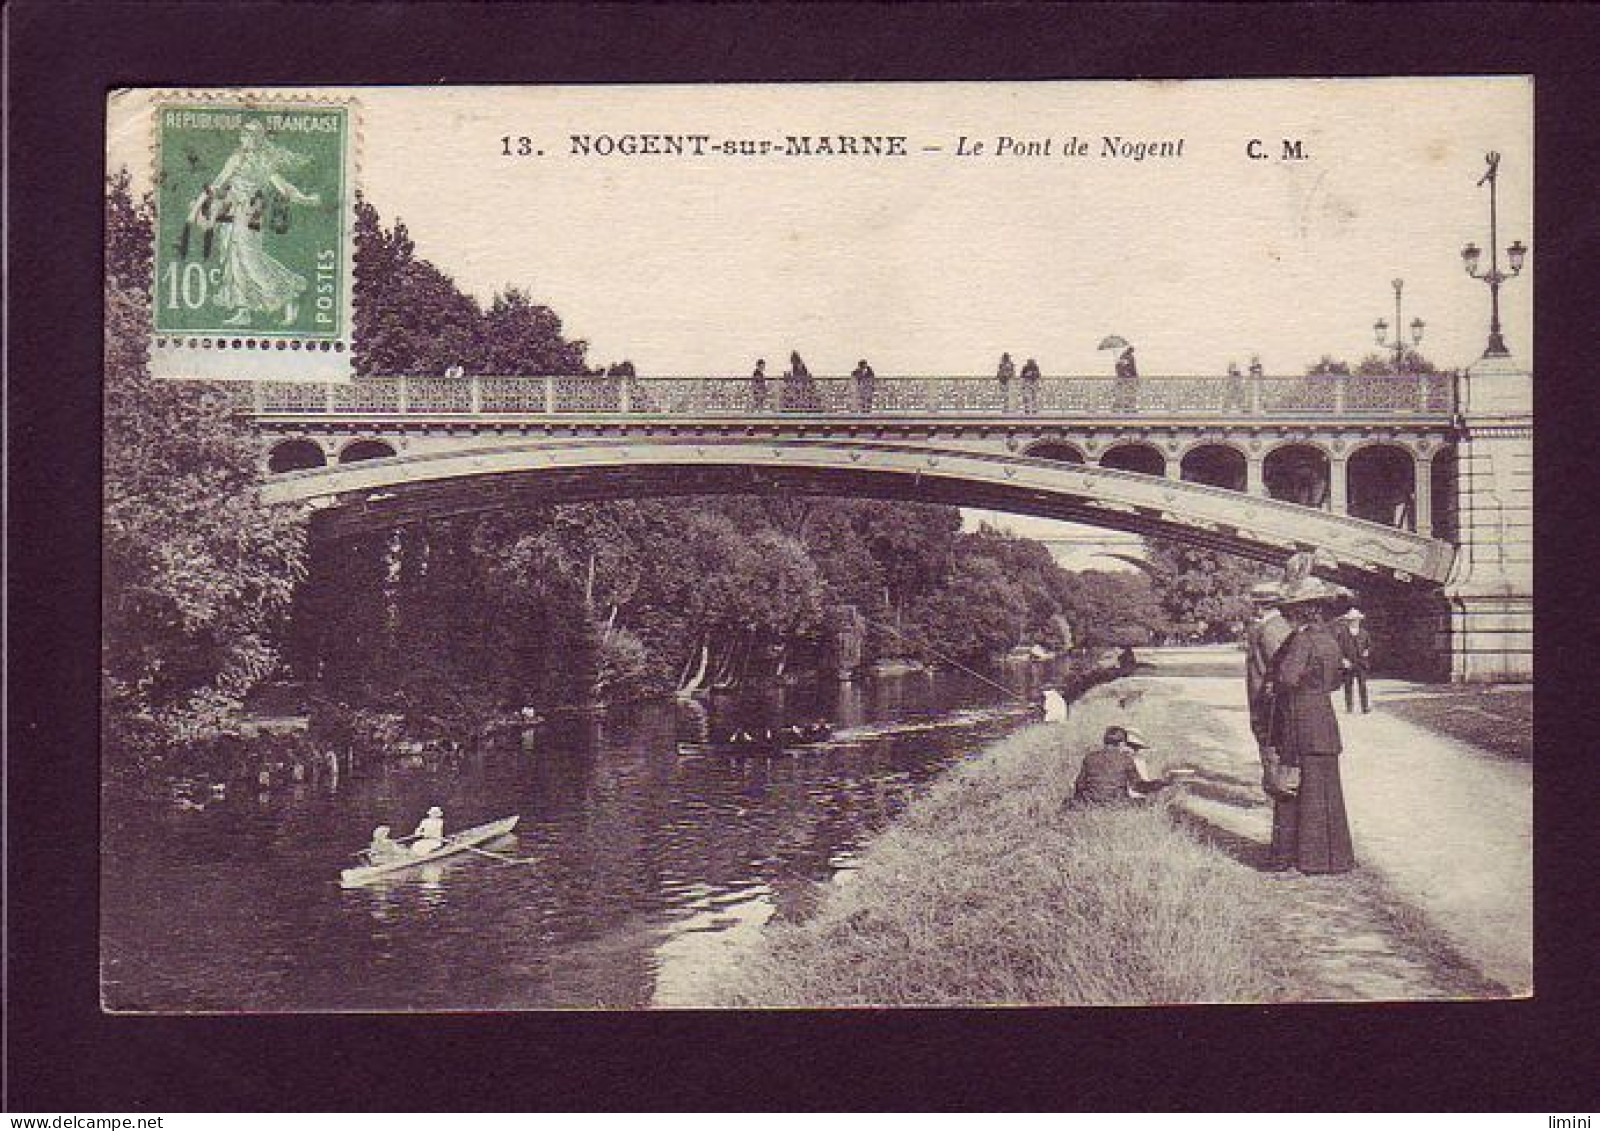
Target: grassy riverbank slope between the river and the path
x=990 y=892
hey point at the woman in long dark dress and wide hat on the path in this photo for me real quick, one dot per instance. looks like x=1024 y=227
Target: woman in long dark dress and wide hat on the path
x=1310 y=831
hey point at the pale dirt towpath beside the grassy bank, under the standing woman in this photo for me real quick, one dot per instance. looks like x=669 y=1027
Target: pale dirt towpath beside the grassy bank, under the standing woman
x=1442 y=900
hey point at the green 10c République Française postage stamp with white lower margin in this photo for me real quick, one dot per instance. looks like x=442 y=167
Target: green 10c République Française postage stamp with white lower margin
x=254 y=260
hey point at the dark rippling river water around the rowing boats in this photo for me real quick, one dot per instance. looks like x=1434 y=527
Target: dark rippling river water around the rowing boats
x=644 y=873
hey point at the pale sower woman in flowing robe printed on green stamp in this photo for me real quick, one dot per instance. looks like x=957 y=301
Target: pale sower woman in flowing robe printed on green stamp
x=238 y=201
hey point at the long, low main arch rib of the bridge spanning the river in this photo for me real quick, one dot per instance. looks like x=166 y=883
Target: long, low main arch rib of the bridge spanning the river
x=382 y=494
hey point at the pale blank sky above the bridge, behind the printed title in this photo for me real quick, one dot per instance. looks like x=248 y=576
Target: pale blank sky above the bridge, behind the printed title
x=937 y=263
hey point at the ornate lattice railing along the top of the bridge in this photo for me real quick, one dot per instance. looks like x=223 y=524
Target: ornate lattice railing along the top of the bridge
x=1225 y=398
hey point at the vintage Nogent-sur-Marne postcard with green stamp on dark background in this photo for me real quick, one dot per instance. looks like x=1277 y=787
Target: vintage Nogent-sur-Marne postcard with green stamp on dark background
x=857 y=545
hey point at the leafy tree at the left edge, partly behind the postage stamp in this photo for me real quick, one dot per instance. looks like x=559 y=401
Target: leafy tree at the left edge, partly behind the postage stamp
x=199 y=572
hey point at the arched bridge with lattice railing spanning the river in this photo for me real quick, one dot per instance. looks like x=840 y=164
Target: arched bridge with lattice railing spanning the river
x=1254 y=465
